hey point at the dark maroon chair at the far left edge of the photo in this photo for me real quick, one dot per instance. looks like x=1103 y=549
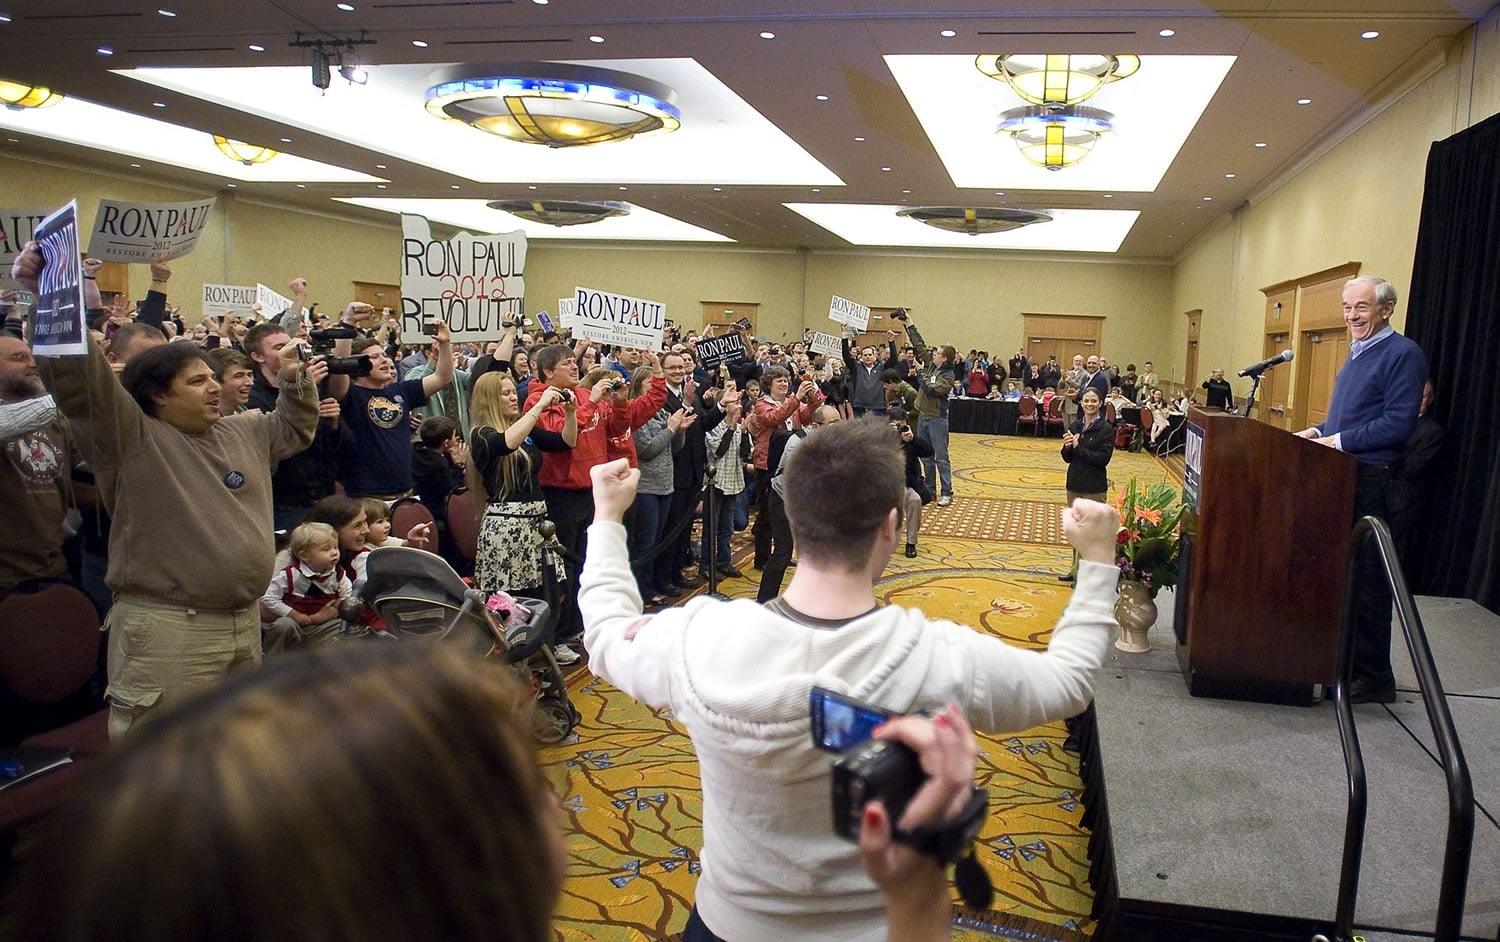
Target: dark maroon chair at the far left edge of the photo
x=49 y=652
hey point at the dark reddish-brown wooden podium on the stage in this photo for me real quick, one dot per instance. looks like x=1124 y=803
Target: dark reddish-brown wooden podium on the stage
x=1264 y=560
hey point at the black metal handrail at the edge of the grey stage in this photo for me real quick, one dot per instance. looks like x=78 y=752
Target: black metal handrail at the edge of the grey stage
x=1460 y=790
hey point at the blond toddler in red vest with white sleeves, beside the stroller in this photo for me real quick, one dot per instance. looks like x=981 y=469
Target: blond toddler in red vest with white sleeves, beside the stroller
x=301 y=607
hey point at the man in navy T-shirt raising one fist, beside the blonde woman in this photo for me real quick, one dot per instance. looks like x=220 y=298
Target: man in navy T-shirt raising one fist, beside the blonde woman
x=377 y=409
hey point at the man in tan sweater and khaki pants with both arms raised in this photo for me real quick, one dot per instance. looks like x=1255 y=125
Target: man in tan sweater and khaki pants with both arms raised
x=191 y=499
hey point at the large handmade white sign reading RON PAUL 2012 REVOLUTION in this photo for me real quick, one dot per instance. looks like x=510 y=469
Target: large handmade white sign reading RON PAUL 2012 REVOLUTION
x=473 y=283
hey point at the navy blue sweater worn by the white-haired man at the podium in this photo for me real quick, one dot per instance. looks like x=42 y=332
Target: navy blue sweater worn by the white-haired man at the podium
x=1376 y=401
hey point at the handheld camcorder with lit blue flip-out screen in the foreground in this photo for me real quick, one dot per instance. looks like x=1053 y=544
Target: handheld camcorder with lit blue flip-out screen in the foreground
x=866 y=769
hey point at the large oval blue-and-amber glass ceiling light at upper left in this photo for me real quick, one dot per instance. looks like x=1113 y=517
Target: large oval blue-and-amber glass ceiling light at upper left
x=554 y=104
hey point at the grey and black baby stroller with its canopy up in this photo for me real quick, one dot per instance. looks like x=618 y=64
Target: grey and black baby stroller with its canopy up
x=421 y=598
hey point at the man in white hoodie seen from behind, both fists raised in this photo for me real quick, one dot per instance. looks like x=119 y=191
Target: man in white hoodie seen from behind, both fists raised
x=739 y=674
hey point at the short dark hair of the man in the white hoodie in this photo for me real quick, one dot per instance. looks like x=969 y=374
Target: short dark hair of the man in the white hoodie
x=842 y=484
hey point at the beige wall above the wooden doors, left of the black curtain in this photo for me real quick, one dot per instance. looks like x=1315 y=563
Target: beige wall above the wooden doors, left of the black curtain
x=1361 y=202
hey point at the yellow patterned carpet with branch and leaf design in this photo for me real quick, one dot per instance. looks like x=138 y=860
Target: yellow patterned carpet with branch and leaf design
x=629 y=779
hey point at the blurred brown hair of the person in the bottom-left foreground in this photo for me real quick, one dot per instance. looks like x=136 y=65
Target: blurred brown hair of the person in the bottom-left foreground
x=419 y=739
